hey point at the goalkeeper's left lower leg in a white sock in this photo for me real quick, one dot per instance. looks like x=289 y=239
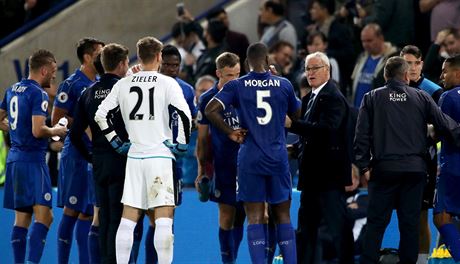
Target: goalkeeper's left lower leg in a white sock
x=125 y=233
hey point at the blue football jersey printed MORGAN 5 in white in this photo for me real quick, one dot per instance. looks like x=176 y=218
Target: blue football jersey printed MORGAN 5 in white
x=262 y=101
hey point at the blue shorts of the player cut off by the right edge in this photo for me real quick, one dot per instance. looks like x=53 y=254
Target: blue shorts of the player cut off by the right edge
x=447 y=196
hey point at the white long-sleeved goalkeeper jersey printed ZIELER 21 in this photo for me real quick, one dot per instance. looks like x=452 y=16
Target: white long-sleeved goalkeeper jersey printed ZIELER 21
x=145 y=100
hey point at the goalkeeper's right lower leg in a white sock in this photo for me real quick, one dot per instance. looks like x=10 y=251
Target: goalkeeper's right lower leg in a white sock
x=163 y=238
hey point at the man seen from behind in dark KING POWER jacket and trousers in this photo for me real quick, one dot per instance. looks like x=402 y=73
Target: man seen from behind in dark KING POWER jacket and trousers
x=392 y=129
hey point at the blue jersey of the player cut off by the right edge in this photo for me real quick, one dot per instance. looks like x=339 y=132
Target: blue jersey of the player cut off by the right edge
x=450 y=154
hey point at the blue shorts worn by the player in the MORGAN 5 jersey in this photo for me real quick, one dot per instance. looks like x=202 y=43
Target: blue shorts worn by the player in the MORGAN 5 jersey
x=274 y=189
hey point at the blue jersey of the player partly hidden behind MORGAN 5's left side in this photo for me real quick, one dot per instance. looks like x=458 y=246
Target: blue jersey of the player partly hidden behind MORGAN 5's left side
x=225 y=150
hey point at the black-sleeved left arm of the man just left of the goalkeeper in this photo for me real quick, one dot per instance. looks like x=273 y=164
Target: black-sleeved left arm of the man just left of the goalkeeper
x=78 y=129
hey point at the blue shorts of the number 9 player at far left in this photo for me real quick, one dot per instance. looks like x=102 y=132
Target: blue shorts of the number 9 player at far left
x=27 y=184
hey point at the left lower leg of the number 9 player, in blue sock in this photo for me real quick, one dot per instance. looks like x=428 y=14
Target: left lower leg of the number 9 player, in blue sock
x=22 y=222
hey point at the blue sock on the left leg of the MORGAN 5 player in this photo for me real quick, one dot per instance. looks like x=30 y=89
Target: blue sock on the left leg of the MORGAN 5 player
x=257 y=243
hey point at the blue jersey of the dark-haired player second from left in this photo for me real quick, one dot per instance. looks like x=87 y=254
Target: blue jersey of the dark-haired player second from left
x=67 y=97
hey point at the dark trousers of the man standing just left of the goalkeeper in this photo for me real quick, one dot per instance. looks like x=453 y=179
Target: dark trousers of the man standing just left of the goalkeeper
x=110 y=210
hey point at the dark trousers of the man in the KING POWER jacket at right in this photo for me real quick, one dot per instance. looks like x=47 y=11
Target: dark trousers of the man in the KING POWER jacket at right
x=387 y=191
